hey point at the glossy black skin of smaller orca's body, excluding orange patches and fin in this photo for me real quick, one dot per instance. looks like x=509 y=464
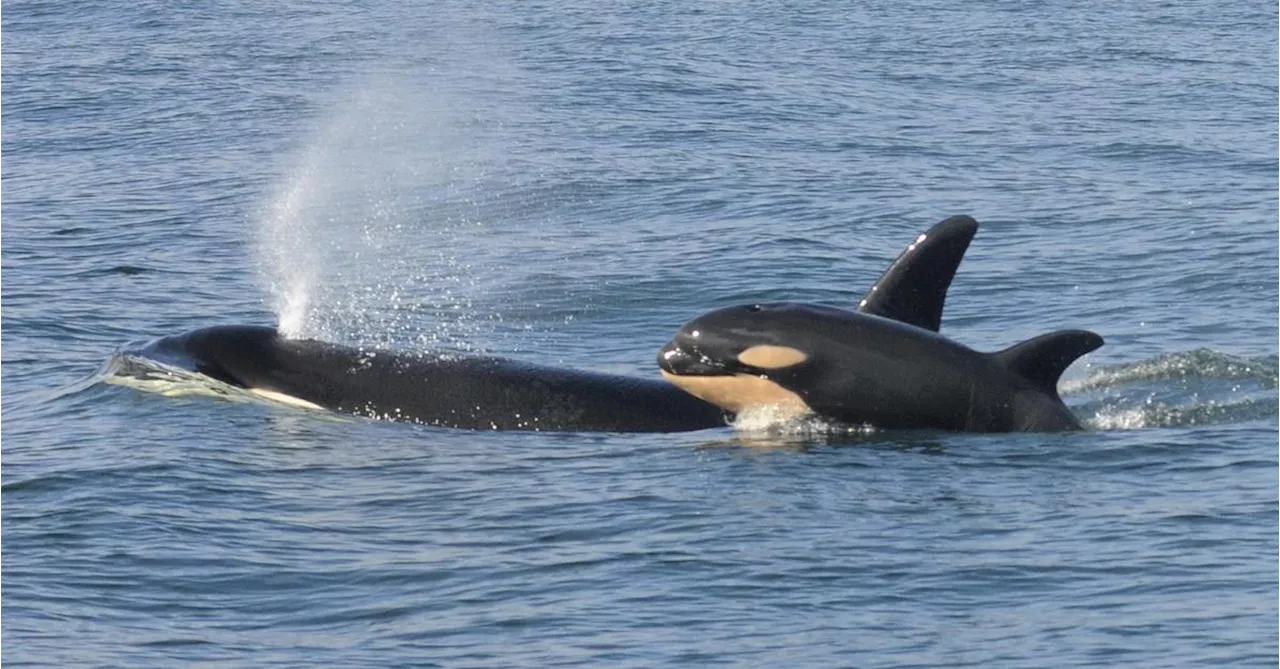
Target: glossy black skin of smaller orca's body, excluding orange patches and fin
x=868 y=370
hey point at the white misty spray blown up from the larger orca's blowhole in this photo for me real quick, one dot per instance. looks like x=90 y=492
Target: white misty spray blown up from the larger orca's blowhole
x=367 y=232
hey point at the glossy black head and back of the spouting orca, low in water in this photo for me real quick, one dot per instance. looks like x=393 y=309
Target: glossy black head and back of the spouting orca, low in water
x=482 y=393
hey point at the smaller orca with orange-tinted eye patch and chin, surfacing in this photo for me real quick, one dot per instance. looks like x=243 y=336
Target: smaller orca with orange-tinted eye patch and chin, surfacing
x=885 y=366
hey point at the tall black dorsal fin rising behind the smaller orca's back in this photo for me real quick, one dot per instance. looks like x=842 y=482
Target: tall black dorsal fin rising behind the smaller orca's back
x=915 y=287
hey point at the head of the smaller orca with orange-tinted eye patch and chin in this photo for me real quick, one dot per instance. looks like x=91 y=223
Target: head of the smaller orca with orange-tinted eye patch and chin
x=751 y=356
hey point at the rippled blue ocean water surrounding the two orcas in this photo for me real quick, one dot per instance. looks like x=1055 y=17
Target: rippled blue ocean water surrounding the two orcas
x=566 y=184
